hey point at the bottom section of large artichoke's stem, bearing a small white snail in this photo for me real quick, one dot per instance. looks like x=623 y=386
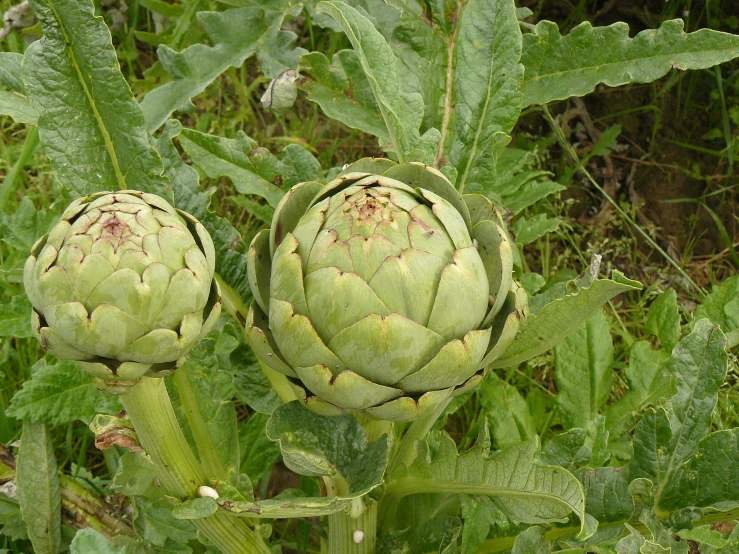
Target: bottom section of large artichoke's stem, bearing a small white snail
x=353 y=535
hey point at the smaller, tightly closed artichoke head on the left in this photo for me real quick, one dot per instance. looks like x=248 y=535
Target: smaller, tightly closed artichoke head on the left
x=123 y=284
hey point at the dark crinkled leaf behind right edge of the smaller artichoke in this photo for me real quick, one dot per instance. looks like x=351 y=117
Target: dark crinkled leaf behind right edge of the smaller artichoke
x=230 y=248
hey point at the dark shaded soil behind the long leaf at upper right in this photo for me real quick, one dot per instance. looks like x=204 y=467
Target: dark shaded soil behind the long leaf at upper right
x=664 y=181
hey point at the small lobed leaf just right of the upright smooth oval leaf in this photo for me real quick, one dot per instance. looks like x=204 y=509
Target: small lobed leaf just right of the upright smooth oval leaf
x=648 y=383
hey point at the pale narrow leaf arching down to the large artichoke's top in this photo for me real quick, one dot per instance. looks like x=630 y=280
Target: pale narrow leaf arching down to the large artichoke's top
x=402 y=111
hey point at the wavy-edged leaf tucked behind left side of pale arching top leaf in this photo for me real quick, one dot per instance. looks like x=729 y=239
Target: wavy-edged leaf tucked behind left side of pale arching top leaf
x=343 y=91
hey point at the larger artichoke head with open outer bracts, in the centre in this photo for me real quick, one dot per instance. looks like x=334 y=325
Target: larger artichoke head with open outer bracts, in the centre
x=384 y=291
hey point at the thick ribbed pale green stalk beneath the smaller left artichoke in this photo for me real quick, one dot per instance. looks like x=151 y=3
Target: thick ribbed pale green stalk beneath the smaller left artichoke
x=150 y=411
